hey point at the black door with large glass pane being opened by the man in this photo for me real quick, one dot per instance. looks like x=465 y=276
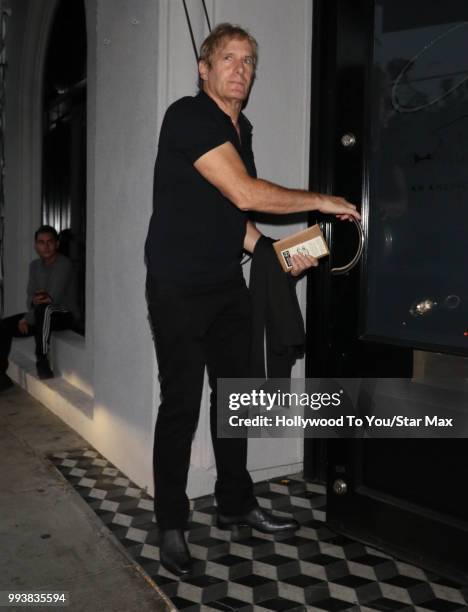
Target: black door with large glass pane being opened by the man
x=390 y=133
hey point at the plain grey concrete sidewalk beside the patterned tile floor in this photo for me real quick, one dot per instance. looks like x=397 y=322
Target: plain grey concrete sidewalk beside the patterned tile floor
x=49 y=538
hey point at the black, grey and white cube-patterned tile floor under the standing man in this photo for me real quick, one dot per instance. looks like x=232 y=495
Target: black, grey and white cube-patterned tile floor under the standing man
x=312 y=569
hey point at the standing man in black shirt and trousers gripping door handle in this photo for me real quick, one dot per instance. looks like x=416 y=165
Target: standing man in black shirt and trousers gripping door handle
x=205 y=183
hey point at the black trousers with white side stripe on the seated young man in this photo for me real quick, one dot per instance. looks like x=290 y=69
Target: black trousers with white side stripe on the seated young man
x=48 y=318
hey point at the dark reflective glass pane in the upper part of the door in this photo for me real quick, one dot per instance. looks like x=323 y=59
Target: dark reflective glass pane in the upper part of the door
x=417 y=285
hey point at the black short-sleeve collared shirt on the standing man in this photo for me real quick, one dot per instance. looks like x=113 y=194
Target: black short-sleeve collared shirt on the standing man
x=195 y=234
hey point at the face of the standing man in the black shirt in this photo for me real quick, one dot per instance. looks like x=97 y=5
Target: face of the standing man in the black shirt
x=231 y=72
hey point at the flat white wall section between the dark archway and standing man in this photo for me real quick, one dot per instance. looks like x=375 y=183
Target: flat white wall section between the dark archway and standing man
x=124 y=151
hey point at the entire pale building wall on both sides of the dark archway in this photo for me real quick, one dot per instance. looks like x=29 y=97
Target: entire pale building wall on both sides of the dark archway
x=140 y=59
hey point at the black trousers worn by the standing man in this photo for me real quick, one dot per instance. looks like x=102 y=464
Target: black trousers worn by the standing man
x=193 y=328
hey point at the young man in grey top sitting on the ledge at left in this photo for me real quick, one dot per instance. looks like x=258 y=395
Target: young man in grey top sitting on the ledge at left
x=51 y=303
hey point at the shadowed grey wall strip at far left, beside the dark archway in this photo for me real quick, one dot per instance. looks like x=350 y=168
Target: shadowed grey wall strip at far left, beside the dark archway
x=25 y=27
